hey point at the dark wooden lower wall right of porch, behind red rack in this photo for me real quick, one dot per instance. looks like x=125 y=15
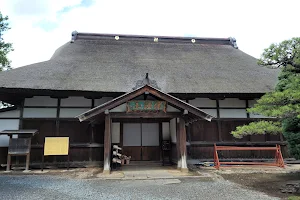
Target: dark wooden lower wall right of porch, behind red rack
x=203 y=134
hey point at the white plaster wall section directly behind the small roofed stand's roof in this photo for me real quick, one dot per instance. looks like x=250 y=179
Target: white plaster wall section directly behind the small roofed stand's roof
x=7 y=124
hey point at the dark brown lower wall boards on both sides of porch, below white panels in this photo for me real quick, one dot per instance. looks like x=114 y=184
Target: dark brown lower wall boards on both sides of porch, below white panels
x=87 y=142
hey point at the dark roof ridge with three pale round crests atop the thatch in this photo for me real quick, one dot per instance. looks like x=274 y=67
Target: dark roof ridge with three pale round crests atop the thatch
x=171 y=39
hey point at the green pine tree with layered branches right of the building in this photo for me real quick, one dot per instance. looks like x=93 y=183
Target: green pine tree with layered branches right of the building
x=283 y=103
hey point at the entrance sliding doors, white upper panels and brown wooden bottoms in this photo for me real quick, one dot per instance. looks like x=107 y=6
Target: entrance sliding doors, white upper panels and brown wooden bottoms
x=141 y=141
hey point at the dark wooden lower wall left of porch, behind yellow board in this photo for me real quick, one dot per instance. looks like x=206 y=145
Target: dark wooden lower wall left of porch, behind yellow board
x=86 y=142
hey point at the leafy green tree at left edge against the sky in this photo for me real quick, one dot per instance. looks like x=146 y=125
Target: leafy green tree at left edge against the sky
x=5 y=47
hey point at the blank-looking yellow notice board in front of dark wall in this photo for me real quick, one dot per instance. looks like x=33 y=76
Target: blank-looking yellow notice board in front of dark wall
x=56 y=146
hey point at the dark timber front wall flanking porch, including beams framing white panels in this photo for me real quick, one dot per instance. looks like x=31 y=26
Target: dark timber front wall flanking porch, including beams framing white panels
x=87 y=142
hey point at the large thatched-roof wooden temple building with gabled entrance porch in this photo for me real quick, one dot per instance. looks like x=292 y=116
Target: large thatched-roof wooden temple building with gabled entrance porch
x=138 y=92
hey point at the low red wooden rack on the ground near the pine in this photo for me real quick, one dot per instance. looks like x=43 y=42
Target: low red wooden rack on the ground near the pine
x=278 y=156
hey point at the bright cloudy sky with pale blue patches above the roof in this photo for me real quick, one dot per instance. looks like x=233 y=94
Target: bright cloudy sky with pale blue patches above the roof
x=39 y=27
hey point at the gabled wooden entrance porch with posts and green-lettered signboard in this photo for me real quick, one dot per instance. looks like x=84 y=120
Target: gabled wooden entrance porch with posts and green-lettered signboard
x=142 y=140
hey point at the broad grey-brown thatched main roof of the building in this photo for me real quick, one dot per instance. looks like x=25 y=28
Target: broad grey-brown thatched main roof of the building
x=105 y=63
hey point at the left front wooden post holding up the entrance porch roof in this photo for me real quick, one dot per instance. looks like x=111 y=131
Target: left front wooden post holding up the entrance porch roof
x=107 y=144
